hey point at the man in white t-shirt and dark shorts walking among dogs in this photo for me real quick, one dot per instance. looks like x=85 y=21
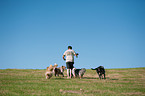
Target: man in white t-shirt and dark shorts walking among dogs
x=69 y=54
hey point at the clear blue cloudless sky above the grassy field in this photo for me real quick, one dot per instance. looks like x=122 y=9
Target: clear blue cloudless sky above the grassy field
x=35 y=33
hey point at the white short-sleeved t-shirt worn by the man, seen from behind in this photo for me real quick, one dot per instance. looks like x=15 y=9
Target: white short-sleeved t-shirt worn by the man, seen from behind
x=69 y=55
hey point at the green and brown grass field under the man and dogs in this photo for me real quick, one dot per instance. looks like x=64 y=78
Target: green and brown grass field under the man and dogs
x=29 y=82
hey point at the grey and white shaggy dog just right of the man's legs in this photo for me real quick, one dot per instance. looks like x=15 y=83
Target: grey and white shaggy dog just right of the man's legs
x=78 y=72
